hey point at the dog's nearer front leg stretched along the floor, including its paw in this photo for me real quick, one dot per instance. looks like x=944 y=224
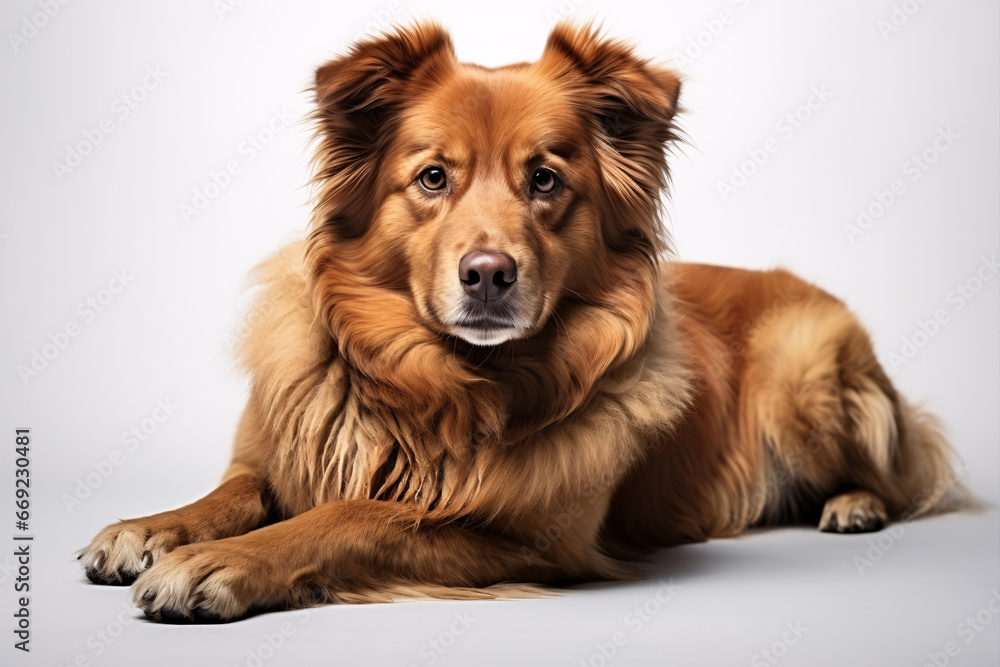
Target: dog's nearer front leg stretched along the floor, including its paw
x=357 y=550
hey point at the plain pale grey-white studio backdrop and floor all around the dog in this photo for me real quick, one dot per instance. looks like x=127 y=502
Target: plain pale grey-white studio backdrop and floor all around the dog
x=805 y=111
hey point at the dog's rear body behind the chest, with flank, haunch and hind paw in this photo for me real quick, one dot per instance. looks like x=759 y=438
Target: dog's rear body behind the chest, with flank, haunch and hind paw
x=794 y=420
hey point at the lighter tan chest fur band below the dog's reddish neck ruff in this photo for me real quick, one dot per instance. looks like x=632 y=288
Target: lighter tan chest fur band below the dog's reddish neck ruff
x=325 y=443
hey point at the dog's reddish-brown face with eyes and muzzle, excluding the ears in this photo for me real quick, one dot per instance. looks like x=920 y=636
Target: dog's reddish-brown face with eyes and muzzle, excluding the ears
x=492 y=172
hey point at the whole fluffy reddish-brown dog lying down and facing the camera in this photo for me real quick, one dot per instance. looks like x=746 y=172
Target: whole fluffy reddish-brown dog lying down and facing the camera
x=480 y=374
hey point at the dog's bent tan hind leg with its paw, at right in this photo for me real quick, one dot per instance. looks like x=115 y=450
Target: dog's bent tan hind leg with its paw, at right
x=840 y=445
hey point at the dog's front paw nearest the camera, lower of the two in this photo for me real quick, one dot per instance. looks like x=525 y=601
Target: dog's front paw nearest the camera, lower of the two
x=205 y=582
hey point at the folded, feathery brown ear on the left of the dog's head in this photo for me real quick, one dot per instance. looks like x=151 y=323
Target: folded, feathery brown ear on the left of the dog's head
x=358 y=97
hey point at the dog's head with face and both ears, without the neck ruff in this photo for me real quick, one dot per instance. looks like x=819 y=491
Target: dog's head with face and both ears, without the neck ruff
x=490 y=196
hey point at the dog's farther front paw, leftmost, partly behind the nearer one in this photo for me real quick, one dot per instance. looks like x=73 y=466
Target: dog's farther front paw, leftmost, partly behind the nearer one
x=122 y=551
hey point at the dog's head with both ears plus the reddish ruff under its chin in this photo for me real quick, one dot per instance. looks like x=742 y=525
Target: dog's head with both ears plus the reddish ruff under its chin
x=516 y=206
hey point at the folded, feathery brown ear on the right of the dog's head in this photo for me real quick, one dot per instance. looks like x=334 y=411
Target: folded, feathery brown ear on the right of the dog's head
x=630 y=104
